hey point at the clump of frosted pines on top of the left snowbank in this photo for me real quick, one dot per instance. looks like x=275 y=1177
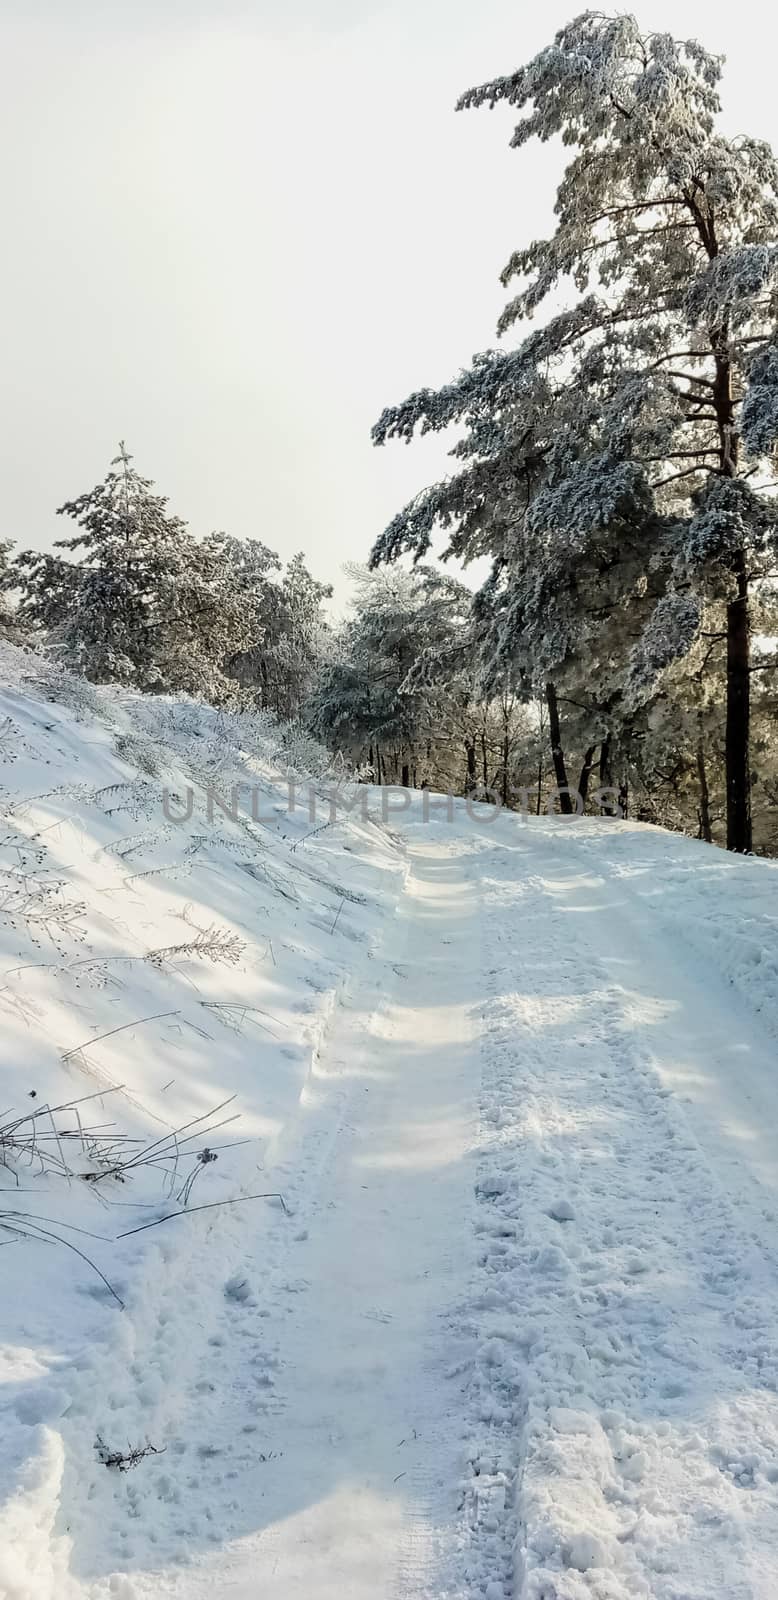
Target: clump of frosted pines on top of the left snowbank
x=138 y=601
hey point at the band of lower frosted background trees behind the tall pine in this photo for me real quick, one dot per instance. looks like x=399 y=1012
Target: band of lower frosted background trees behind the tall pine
x=399 y=689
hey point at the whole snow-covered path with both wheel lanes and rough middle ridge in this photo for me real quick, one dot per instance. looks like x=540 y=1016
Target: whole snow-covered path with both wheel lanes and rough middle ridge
x=519 y=1338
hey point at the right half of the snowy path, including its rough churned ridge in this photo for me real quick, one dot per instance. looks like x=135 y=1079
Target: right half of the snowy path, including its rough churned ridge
x=635 y=1295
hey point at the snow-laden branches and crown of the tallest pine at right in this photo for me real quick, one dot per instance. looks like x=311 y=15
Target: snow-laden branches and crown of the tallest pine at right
x=630 y=438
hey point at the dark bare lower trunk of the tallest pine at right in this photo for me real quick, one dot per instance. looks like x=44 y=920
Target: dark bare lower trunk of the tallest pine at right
x=739 y=716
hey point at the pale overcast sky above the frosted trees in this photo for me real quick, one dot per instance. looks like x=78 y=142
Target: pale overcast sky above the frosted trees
x=233 y=233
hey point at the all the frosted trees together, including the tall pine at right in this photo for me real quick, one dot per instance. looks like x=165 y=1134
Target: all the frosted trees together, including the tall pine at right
x=617 y=465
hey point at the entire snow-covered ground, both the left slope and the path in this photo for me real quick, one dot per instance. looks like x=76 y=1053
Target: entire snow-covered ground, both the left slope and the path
x=503 y=1319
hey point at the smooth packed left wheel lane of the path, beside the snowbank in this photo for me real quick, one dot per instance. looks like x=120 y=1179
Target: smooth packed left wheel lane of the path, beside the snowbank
x=326 y=1388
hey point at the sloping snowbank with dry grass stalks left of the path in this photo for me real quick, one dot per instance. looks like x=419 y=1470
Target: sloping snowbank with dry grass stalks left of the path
x=166 y=969
